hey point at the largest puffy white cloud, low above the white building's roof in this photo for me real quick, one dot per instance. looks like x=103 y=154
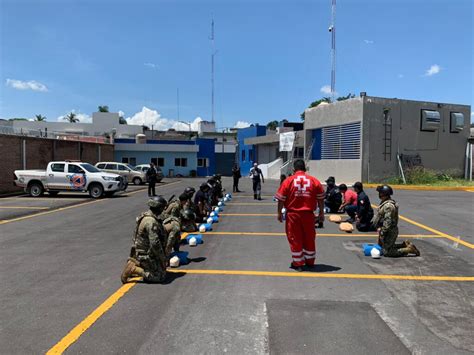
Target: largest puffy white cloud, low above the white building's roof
x=149 y=117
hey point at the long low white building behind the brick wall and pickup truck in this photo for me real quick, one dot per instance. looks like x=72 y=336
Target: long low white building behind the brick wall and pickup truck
x=103 y=123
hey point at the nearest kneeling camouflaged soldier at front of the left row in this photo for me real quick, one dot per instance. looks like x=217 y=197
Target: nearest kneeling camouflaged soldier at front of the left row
x=147 y=256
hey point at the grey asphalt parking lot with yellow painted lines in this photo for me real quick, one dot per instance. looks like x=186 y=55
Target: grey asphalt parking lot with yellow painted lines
x=61 y=288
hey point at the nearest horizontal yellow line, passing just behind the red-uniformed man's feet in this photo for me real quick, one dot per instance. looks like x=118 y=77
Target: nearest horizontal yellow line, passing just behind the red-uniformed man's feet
x=317 y=275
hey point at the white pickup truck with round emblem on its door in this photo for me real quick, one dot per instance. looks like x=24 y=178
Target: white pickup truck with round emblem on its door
x=69 y=176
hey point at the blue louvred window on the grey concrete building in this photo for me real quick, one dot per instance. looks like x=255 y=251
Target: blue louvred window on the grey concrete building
x=341 y=142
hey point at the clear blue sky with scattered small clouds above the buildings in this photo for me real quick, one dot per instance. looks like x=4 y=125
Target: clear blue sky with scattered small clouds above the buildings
x=273 y=57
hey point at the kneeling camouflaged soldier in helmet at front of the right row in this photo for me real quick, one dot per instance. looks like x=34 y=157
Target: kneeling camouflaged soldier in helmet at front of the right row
x=386 y=222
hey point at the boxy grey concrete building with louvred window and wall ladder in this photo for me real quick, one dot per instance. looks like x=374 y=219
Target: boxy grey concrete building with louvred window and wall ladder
x=365 y=138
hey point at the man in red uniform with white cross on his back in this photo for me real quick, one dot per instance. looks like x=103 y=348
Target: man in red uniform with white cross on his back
x=300 y=194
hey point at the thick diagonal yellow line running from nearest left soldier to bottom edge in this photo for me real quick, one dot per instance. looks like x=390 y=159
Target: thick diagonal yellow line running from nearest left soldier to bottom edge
x=82 y=327
